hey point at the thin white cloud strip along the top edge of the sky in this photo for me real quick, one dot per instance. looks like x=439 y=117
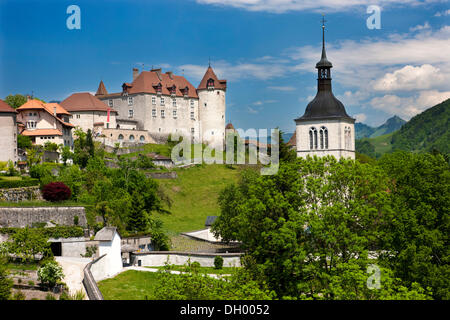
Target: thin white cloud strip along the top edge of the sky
x=280 y=6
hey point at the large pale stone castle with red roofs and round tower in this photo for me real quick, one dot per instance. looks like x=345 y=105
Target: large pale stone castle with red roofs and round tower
x=165 y=103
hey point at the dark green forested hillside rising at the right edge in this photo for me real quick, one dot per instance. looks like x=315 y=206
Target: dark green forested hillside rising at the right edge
x=426 y=131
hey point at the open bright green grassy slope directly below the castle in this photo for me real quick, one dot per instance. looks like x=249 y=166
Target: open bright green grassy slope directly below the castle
x=194 y=194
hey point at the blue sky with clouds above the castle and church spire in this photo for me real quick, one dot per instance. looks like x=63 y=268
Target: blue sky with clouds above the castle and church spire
x=266 y=49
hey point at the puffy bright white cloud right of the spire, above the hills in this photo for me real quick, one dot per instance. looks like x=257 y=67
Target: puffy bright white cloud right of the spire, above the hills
x=411 y=78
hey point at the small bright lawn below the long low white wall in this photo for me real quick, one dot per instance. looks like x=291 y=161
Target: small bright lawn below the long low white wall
x=129 y=285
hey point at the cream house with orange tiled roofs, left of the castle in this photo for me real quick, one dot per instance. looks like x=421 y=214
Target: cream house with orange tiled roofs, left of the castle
x=45 y=122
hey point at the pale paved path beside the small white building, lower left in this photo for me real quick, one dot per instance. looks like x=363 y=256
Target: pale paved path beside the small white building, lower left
x=73 y=272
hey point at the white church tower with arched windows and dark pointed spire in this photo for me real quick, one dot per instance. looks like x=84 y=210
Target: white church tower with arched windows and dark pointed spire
x=325 y=128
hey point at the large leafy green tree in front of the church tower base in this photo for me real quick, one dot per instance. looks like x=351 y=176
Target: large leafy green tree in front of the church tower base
x=299 y=225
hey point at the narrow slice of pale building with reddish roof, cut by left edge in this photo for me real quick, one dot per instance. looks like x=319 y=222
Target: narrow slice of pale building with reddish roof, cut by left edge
x=8 y=133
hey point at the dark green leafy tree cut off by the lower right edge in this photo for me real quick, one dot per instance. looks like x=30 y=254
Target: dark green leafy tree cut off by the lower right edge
x=417 y=236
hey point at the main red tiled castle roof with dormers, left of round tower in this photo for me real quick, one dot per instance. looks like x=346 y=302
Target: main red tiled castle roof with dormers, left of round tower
x=147 y=81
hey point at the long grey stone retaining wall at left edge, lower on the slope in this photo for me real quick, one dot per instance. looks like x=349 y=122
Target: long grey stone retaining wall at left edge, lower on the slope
x=13 y=217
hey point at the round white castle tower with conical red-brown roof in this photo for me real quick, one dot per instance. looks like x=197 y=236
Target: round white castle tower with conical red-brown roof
x=211 y=108
